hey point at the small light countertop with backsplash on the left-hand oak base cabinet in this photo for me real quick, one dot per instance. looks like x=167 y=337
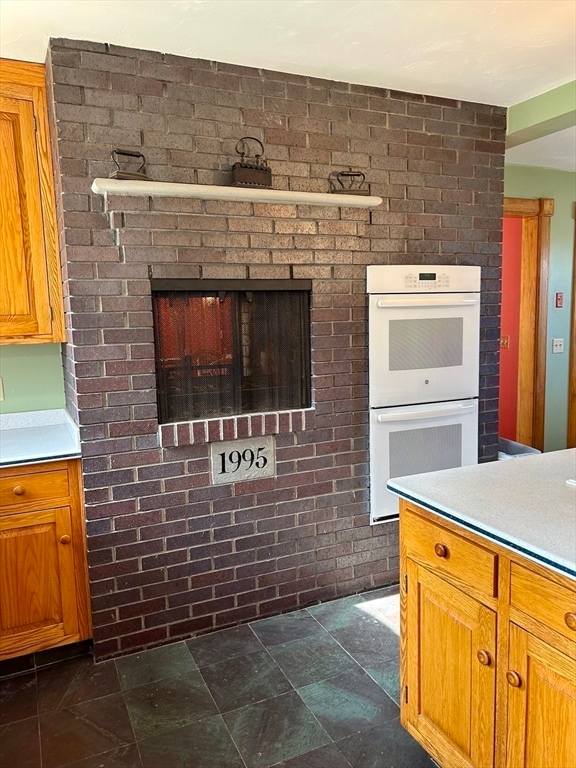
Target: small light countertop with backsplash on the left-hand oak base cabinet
x=26 y=438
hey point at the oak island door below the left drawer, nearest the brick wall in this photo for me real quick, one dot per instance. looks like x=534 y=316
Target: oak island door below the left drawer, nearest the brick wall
x=450 y=670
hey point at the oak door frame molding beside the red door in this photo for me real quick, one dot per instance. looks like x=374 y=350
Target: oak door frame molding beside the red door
x=535 y=215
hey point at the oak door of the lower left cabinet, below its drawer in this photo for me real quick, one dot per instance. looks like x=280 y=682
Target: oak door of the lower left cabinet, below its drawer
x=38 y=604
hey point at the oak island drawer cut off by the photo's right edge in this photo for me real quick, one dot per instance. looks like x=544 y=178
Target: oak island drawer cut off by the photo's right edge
x=549 y=603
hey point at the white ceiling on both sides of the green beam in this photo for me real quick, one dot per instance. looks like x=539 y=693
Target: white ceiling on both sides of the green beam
x=491 y=51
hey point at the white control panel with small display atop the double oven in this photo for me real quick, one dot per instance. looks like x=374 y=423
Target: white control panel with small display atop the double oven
x=422 y=278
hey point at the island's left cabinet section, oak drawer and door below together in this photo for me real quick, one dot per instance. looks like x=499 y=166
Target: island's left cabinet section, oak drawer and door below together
x=448 y=671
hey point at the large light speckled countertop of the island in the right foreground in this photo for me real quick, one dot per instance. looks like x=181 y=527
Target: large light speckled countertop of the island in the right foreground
x=525 y=504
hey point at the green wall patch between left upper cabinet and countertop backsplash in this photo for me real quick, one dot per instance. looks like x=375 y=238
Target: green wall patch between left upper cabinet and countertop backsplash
x=32 y=377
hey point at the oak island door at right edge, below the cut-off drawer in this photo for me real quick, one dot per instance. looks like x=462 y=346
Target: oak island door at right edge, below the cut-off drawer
x=541 y=704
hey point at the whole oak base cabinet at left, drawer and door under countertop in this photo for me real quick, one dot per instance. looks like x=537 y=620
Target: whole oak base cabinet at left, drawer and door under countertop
x=44 y=598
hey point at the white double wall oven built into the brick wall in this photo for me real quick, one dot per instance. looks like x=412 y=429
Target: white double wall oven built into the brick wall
x=423 y=355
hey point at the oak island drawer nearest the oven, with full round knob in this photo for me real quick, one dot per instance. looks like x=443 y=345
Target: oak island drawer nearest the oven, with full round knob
x=464 y=563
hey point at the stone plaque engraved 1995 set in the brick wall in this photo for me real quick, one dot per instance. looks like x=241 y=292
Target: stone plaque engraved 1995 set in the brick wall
x=238 y=460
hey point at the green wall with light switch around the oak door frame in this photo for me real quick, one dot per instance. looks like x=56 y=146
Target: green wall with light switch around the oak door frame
x=523 y=181
